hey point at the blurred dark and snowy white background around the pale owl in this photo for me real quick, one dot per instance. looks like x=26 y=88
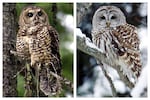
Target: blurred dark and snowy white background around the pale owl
x=90 y=80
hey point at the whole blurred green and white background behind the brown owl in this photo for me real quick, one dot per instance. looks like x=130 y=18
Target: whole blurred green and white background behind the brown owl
x=61 y=18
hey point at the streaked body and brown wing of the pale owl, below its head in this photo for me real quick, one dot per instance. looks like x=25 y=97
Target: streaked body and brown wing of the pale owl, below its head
x=121 y=46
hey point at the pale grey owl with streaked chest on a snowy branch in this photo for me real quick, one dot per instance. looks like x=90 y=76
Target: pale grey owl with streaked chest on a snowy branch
x=118 y=40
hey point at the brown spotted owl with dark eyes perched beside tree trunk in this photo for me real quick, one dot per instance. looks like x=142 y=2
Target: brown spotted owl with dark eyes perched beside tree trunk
x=37 y=42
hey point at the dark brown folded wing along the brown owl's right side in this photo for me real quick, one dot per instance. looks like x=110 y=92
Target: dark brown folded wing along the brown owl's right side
x=55 y=48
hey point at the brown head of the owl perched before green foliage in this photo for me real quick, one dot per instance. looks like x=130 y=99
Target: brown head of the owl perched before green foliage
x=33 y=15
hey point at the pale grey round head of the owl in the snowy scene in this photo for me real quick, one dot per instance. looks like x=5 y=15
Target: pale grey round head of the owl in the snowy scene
x=108 y=17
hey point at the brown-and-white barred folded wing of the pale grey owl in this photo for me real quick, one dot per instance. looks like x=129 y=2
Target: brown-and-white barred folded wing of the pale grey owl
x=127 y=43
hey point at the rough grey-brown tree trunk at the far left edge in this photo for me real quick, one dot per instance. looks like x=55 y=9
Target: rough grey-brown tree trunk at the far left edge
x=9 y=34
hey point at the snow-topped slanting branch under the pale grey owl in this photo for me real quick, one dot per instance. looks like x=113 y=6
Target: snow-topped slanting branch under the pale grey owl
x=85 y=45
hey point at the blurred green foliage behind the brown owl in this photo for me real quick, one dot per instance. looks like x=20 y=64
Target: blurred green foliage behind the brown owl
x=64 y=35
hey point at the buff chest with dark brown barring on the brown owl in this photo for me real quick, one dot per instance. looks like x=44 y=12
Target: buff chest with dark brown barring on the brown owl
x=34 y=43
